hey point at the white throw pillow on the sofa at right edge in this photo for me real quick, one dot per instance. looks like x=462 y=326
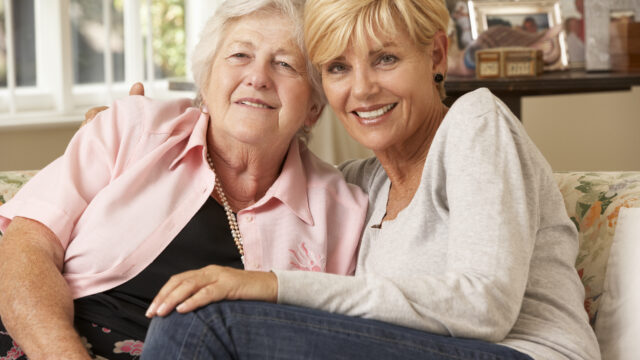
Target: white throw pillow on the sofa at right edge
x=618 y=322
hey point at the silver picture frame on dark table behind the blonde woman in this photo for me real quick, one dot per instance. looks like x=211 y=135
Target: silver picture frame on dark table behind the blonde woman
x=533 y=16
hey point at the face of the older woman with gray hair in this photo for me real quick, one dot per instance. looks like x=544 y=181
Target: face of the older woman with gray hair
x=258 y=92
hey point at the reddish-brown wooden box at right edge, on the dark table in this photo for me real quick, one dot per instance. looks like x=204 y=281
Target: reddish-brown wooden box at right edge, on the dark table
x=624 y=45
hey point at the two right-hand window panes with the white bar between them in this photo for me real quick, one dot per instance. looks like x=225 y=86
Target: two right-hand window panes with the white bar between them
x=115 y=43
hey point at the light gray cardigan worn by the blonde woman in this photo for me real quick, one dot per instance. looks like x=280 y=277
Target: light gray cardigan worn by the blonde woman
x=484 y=250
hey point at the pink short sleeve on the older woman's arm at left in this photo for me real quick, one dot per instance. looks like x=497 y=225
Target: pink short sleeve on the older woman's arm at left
x=59 y=193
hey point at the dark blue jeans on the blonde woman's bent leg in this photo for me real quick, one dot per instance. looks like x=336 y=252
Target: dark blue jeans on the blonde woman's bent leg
x=255 y=330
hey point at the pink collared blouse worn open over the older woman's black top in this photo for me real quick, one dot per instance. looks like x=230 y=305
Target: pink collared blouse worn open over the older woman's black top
x=131 y=179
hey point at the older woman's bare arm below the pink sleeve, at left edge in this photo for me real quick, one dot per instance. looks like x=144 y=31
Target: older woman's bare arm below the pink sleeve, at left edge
x=39 y=312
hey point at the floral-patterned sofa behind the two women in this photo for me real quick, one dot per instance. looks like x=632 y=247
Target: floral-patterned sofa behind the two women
x=593 y=201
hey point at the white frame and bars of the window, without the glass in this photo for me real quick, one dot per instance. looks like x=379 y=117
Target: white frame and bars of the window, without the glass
x=55 y=99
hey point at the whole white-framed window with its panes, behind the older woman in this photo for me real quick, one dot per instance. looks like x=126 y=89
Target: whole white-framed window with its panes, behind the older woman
x=60 y=57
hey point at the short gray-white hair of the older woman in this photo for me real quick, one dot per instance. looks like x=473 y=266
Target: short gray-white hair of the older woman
x=215 y=30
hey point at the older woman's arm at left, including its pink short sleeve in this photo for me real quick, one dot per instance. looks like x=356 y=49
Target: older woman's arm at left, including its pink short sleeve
x=36 y=304
